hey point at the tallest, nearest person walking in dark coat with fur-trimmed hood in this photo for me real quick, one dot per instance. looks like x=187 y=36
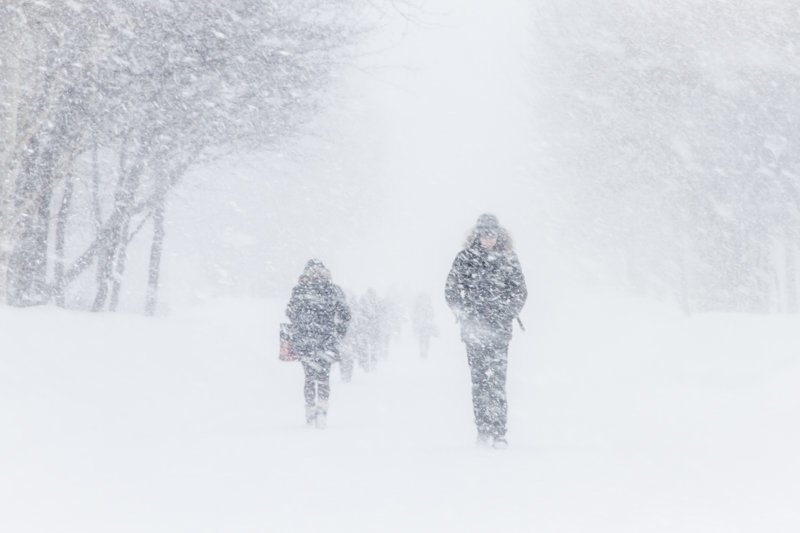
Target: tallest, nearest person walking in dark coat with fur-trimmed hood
x=486 y=290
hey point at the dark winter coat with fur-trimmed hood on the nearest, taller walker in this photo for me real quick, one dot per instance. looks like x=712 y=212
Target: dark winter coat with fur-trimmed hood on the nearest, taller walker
x=486 y=290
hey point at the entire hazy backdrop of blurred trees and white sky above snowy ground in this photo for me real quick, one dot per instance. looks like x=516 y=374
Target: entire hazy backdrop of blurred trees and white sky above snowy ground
x=643 y=147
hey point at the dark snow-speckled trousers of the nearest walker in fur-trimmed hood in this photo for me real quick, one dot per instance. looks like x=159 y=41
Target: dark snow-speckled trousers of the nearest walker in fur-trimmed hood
x=488 y=364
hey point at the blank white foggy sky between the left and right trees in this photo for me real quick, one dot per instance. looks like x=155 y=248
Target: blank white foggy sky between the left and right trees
x=428 y=130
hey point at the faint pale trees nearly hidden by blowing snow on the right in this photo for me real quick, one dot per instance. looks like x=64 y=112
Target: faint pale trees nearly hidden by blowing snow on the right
x=675 y=126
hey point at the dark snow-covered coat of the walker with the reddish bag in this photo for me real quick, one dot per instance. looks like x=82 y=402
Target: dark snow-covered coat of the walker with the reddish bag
x=319 y=315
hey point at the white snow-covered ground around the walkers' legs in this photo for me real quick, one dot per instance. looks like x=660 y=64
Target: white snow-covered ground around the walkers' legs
x=624 y=417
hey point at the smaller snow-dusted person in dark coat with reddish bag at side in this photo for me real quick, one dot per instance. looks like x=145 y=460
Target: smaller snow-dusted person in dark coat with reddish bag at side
x=319 y=317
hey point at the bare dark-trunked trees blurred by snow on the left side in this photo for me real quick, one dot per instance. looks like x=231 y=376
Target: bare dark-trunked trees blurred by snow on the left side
x=105 y=105
